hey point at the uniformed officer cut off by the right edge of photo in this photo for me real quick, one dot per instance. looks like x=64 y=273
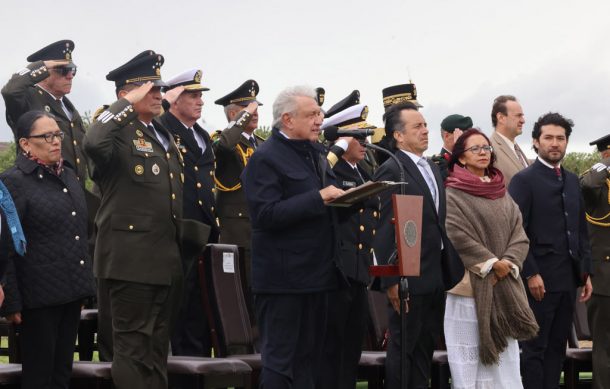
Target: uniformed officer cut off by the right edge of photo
x=595 y=184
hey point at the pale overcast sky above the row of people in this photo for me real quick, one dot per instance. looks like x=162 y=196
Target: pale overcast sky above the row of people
x=552 y=55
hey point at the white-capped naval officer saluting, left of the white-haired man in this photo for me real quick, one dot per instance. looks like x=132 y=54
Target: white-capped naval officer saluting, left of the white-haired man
x=191 y=336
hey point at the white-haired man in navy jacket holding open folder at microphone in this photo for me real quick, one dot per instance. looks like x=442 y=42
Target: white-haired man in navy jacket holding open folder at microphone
x=288 y=183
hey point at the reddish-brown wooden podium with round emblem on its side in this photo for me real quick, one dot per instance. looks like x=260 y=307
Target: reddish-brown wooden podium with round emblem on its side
x=407 y=227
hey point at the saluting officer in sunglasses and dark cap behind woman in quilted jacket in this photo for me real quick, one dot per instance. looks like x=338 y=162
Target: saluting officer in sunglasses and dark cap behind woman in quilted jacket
x=43 y=85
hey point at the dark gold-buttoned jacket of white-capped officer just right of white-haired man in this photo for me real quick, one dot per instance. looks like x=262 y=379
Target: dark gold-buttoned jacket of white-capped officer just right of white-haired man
x=357 y=226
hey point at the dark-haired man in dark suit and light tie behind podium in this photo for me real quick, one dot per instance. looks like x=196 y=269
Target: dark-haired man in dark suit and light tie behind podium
x=427 y=292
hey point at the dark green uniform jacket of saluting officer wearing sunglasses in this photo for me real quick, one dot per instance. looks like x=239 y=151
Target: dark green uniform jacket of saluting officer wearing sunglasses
x=21 y=94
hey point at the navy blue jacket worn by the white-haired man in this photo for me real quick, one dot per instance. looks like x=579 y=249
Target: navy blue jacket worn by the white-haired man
x=293 y=236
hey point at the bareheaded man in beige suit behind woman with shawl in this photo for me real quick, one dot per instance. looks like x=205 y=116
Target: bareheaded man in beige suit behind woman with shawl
x=507 y=119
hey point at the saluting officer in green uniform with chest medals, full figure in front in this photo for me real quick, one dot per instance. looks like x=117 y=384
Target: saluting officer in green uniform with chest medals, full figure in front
x=138 y=168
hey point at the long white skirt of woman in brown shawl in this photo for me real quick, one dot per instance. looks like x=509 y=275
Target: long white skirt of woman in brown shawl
x=462 y=338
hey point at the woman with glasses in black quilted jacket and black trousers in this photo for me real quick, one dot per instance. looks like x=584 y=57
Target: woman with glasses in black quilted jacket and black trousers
x=45 y=288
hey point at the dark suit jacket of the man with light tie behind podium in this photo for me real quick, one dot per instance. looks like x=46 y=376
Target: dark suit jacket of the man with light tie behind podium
x=439 y=269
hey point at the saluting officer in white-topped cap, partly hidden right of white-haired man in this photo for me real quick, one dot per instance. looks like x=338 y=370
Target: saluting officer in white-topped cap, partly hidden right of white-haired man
x=348 y=307
